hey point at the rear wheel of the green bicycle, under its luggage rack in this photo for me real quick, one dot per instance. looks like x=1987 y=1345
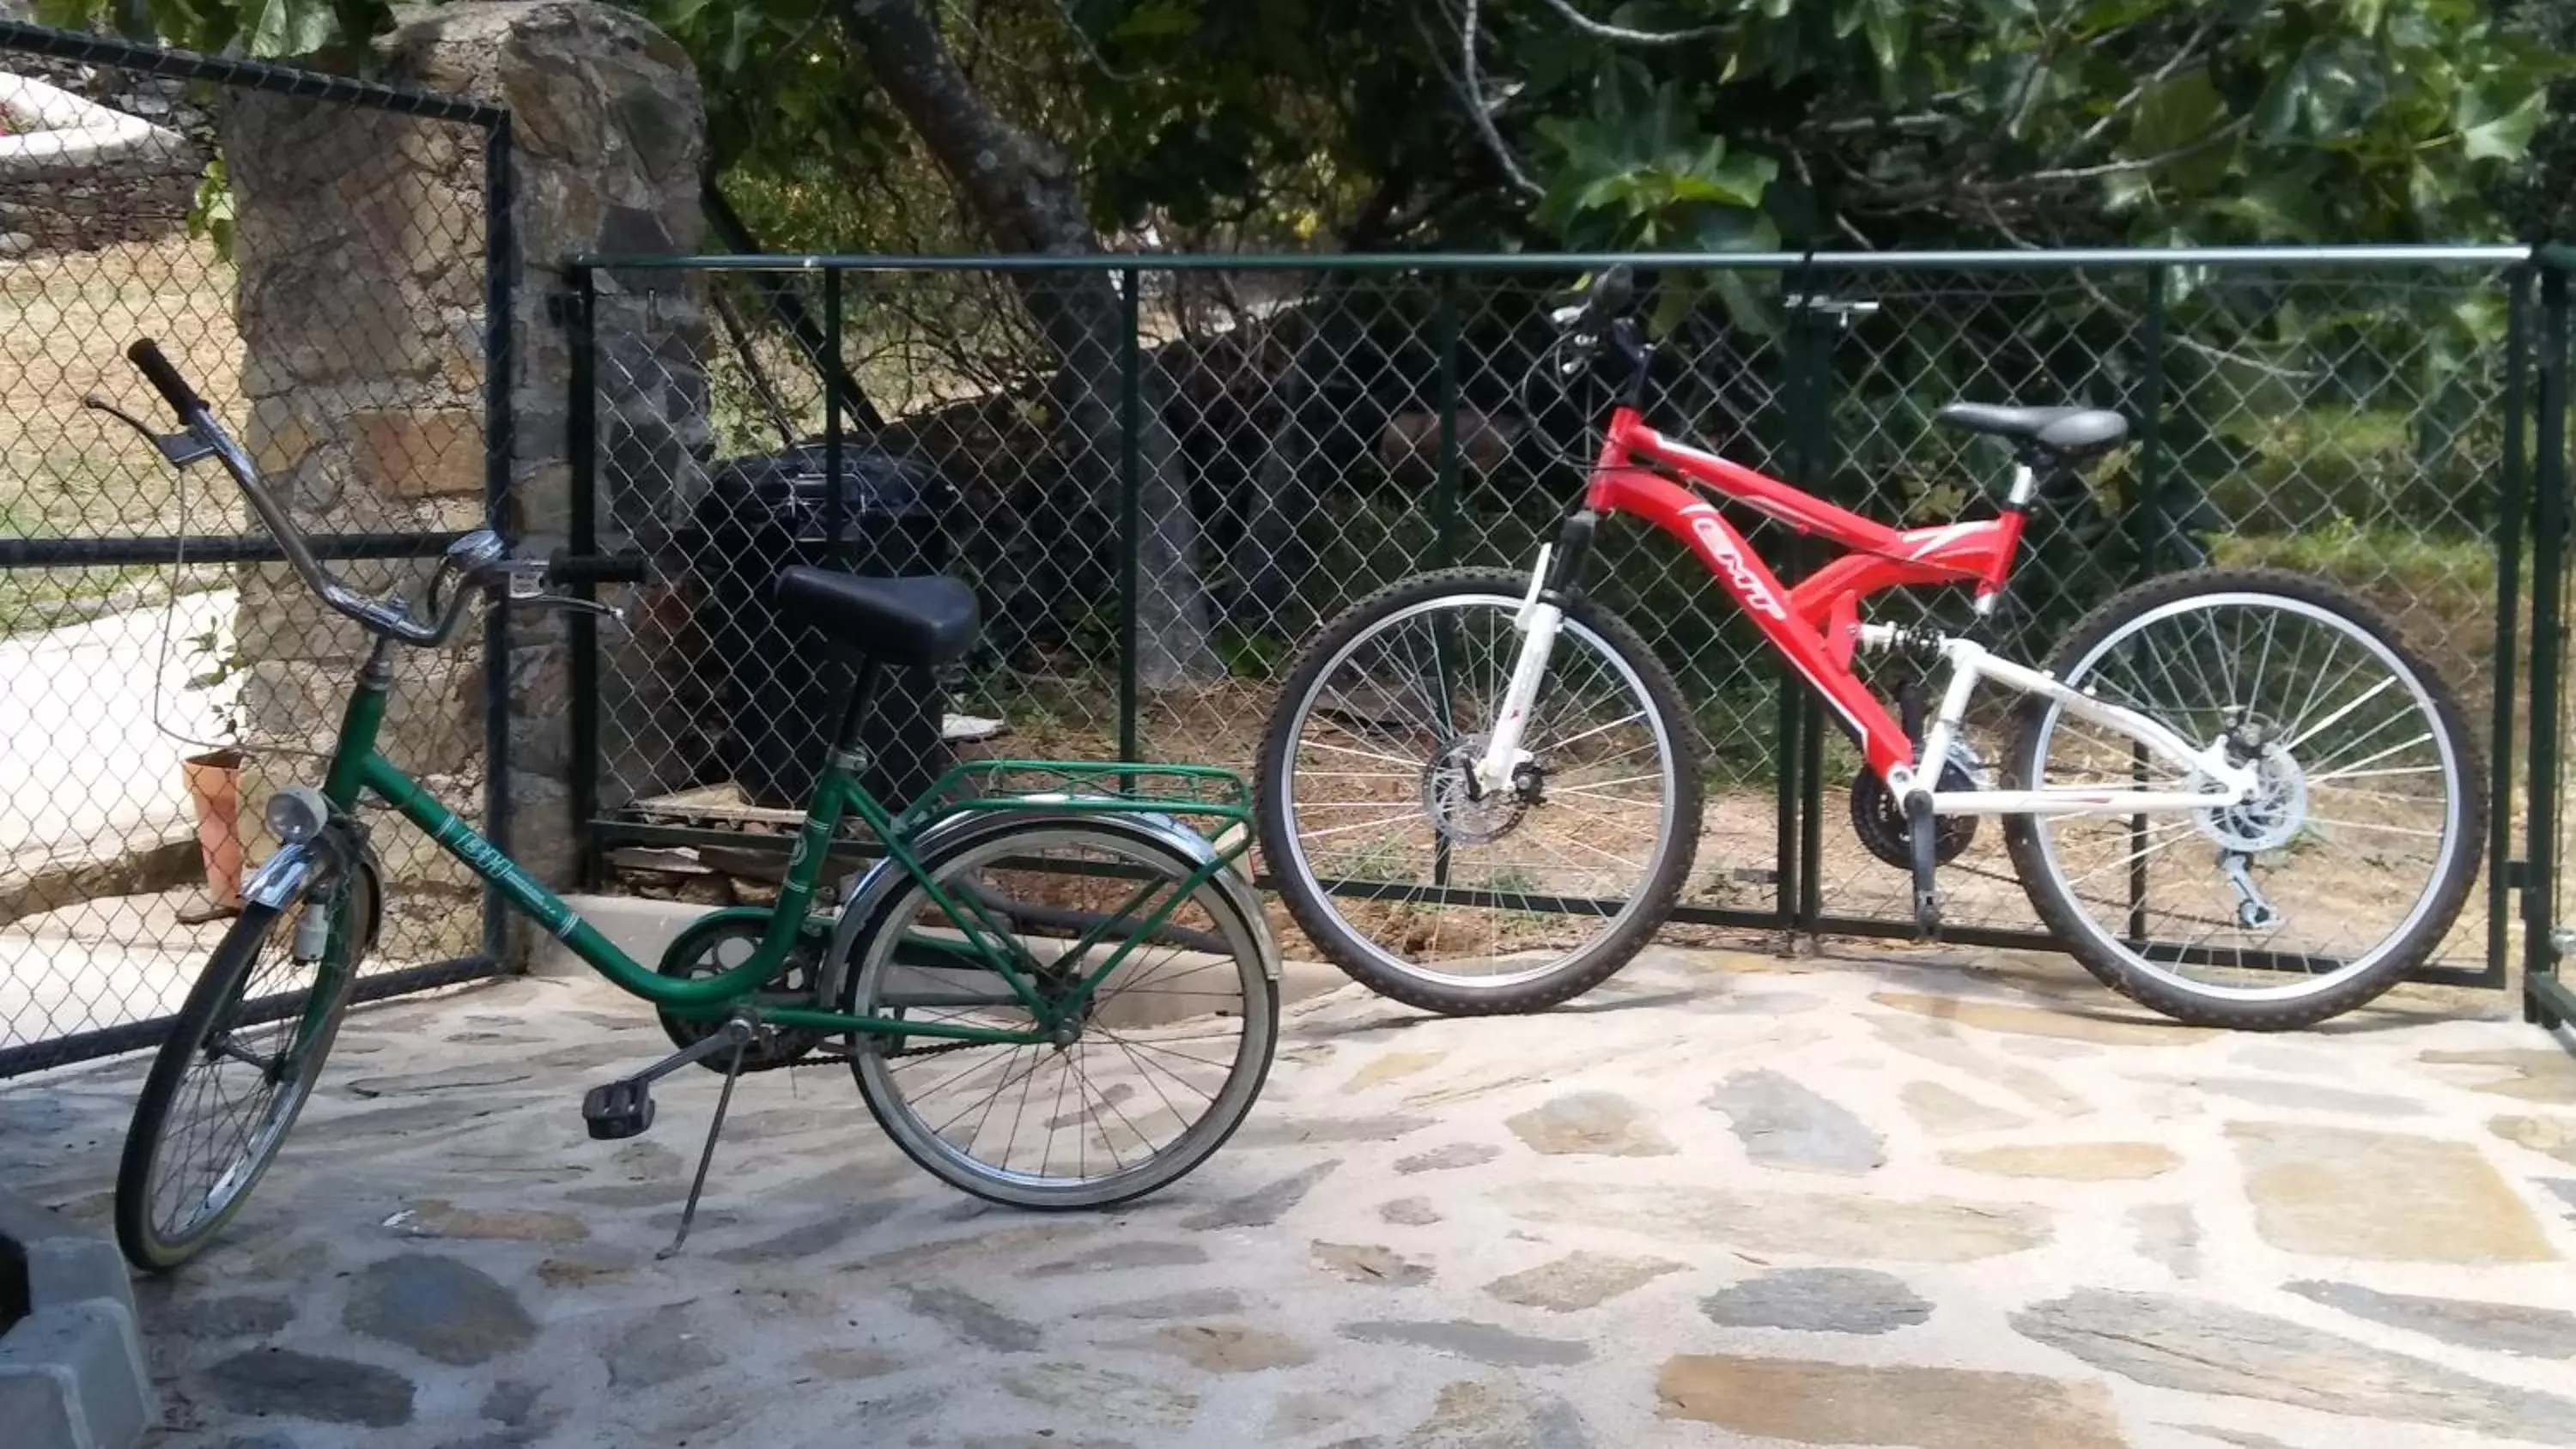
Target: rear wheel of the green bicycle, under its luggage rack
x=1155 y=1075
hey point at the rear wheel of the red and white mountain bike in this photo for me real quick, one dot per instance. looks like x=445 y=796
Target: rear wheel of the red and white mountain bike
x=2322 y=892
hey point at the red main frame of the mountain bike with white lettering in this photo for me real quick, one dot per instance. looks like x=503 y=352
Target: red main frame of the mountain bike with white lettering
x=1817 y=624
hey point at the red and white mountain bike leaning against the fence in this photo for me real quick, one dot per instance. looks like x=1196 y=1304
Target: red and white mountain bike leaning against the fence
x=2232 y=794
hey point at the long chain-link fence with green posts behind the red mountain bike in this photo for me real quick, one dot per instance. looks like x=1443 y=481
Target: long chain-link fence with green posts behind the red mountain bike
x=1163 y=475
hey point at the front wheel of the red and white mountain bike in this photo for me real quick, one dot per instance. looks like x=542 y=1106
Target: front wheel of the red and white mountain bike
x=1441 y=900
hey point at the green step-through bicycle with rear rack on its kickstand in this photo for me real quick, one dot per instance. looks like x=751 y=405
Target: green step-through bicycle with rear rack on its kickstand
x=1052 y=997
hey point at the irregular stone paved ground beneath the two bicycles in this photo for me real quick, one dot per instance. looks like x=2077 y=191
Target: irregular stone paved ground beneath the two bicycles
x=1727 y=1201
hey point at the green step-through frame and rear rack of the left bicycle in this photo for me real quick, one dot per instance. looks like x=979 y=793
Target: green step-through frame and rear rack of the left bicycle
x=359 y=768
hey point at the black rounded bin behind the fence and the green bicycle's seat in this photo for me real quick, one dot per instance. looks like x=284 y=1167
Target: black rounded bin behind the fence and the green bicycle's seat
x=787 y=683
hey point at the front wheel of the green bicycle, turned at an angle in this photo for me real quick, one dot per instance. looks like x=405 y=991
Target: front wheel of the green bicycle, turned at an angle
x=236 y=1072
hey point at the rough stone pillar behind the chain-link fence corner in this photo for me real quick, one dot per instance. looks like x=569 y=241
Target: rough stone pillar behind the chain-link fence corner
x=362 y=310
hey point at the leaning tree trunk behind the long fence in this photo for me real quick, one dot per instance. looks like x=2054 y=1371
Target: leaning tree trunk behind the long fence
x=1021 y=192
